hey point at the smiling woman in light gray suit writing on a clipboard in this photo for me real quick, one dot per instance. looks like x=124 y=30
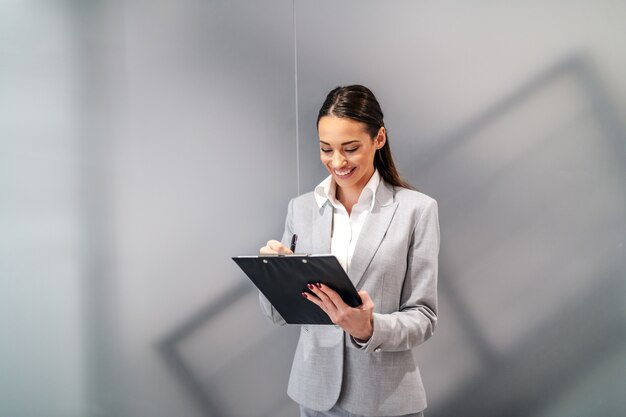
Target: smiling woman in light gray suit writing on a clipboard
x=386 y=237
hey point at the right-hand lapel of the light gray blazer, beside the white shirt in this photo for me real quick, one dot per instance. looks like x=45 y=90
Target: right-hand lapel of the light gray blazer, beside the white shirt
x=373 y=232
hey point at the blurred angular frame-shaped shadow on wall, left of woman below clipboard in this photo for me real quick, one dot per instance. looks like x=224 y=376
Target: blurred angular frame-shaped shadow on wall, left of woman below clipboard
x=233 y=370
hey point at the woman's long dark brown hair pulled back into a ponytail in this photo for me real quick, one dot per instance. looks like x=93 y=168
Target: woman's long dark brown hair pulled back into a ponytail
x=358 y=103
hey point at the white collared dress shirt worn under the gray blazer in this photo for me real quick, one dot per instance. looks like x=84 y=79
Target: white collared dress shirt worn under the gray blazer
x=346 y=227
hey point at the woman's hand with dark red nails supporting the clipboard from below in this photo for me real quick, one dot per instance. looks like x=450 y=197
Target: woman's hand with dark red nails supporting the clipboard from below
x=358 y=321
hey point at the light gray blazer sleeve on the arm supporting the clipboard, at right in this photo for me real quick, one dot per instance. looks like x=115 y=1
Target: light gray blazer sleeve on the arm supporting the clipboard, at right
x=416 y=319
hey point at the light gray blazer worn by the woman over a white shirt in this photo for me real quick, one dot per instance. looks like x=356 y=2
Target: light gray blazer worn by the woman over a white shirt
x=395 y=261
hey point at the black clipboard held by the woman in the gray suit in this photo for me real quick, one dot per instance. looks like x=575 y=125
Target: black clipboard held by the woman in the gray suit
x=283 y=278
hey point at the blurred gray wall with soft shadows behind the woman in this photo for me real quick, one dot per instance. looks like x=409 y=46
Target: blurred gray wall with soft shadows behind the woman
x=144 y=143
